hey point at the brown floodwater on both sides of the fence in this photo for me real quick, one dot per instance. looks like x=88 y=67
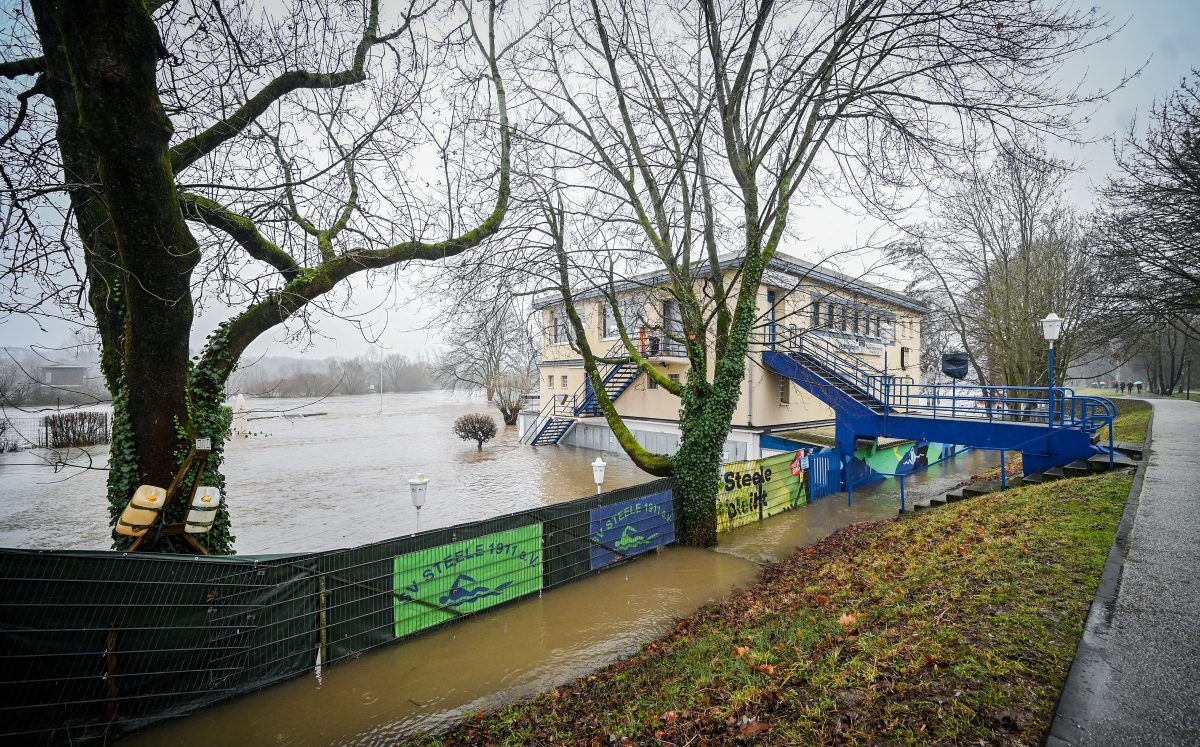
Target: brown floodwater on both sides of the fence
x=339 y=480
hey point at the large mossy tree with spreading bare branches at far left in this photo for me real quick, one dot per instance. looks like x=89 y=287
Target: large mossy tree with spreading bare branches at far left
x=164 y=154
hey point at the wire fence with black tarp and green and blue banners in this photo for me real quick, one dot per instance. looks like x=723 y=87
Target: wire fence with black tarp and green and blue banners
x=98 y=644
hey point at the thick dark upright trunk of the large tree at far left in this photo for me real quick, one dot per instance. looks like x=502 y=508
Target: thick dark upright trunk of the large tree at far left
x=101 y=59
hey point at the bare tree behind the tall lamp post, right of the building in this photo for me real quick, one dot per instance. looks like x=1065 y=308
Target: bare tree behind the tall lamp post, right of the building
x=1004 y=252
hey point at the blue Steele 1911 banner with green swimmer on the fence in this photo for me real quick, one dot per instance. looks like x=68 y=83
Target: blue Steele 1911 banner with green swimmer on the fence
x=631 y=528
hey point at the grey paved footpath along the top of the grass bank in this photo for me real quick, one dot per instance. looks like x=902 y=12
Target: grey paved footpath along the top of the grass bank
x=1137 y=677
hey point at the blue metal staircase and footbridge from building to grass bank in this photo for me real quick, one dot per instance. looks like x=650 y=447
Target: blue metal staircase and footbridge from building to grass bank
x=871 y=404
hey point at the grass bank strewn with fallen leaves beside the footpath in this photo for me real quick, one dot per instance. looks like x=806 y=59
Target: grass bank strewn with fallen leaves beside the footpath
x=955 y=626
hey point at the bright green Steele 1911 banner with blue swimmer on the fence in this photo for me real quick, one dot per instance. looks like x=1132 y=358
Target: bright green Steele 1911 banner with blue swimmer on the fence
x=449 y=581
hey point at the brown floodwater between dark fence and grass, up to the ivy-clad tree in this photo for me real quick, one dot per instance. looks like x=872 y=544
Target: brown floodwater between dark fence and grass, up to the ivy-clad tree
x=434 y=680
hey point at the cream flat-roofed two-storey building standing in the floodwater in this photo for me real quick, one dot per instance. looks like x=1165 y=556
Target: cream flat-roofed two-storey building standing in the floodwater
x=795 y=300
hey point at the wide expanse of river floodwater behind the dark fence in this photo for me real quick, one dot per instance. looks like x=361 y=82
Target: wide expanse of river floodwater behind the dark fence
x=334 y=481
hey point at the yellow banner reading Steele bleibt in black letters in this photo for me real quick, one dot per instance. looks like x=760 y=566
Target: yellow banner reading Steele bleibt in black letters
x=761 y=488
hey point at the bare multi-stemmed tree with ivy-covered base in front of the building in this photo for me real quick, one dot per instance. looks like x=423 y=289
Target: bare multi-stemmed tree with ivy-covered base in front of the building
x=676 y=133
